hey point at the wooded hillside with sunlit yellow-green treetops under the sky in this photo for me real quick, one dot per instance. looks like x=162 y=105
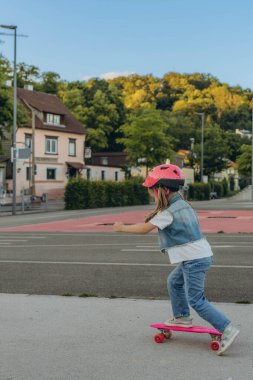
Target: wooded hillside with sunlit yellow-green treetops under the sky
x=148 y=116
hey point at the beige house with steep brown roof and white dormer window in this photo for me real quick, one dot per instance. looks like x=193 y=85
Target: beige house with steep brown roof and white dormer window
x=58 y=152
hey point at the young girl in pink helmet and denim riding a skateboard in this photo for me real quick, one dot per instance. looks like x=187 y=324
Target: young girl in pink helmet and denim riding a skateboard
x=180 y=236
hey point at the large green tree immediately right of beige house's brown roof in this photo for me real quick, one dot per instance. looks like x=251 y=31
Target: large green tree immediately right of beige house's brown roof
x=98 y=105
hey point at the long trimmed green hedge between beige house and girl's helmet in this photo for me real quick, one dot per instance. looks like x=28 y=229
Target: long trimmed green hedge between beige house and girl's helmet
x=82 y=194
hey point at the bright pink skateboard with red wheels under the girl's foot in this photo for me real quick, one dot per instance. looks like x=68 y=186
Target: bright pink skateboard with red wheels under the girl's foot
x=165 y=333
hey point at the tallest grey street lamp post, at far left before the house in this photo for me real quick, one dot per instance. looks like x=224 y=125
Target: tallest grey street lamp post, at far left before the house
x=14 y=170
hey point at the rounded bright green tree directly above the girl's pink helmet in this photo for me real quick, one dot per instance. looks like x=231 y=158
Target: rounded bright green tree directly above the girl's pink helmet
x=145 y=137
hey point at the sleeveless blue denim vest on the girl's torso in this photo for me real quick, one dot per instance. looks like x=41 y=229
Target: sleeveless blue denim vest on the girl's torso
x=184 y=228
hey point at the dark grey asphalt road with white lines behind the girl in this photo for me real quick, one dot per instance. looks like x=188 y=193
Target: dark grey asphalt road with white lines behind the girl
x=115 y=265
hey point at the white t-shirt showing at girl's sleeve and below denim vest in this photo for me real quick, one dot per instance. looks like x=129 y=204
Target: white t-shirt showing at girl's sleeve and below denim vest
x=190 y=251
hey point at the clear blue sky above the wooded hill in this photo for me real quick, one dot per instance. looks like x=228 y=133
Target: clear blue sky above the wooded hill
x=80 y=39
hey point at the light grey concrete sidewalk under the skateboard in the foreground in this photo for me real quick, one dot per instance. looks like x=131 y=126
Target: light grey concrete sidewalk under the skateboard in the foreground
x=70 y=338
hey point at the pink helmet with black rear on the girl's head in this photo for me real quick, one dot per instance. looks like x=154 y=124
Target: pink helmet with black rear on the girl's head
x=165 y=175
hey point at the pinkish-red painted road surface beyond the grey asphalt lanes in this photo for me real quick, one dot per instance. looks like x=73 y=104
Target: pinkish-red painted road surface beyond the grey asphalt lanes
x=211 y=221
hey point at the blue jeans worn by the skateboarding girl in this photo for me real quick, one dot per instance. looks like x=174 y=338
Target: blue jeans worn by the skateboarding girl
x=186 y=287
